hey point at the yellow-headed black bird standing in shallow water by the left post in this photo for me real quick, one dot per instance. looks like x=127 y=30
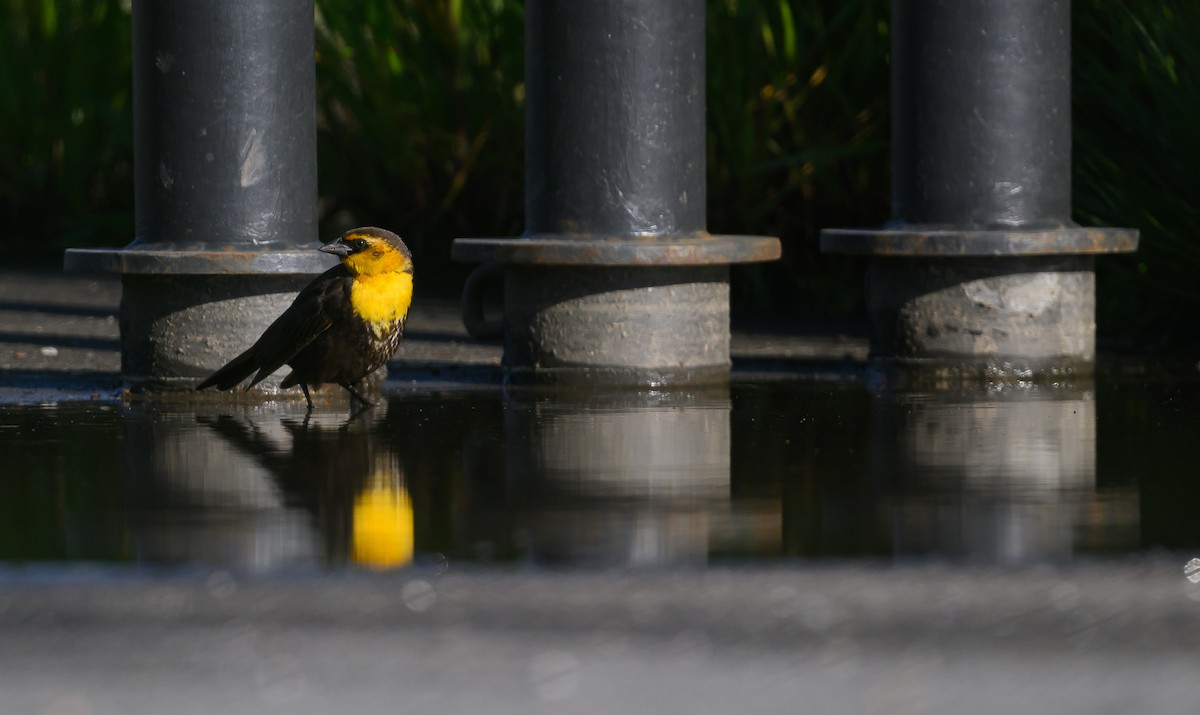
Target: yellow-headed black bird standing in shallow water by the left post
x=343 y=327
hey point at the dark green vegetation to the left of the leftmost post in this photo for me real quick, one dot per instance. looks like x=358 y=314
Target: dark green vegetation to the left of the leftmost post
x=67 y=127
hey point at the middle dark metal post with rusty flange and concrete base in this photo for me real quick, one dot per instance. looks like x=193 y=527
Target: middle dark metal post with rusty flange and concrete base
x=616 y=279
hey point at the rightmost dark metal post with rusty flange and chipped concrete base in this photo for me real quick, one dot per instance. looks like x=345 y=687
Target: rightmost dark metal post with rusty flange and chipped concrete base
x=982 y=271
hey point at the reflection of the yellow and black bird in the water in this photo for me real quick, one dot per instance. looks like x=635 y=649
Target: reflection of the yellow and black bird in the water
x=343 y=474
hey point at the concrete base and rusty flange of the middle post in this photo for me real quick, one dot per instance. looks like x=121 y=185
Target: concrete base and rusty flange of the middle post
x=647 y=313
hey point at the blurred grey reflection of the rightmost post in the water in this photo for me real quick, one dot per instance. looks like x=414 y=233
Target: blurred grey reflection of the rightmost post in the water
x=1005 y=476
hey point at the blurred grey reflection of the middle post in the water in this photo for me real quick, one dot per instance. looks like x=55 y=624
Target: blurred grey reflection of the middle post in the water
x=621 y=478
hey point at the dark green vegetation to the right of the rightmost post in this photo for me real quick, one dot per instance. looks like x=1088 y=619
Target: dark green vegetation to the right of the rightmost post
x=1136 y=83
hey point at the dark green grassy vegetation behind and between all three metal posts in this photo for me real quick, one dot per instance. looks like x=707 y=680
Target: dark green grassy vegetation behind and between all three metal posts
x=421 y=129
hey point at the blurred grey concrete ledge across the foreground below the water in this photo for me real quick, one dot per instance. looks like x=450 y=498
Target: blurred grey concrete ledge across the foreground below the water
x=1088 y=639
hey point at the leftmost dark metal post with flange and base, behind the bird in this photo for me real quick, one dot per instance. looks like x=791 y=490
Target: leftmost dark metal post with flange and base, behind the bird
x=225 y=181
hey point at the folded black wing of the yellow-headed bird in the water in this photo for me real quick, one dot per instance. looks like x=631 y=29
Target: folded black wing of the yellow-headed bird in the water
x=308 y=317
